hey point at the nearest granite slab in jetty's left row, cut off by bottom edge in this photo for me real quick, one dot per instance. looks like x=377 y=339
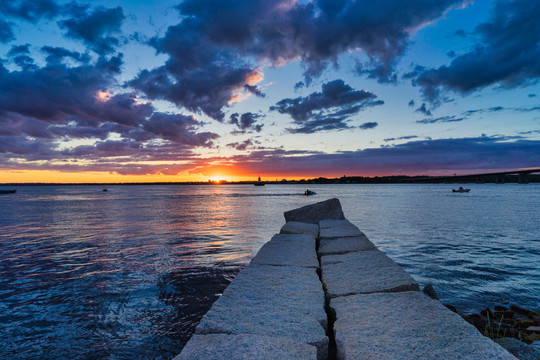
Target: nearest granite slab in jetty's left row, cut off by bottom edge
x=245 y=347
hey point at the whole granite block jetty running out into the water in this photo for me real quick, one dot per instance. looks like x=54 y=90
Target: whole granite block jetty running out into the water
x=320 y=289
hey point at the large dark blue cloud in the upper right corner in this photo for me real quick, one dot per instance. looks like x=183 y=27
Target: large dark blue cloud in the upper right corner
x=504 y=54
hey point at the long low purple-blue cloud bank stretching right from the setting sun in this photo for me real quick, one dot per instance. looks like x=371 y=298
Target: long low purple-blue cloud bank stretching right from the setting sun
x=419 y=157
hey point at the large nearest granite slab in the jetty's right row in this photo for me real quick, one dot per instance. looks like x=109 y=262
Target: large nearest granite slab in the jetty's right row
x=406 y=325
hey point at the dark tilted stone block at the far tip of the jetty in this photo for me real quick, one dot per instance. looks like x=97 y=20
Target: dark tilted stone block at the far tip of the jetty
x=329 y=209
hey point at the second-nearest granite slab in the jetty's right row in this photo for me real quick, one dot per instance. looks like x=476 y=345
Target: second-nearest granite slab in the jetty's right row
x=363 y=272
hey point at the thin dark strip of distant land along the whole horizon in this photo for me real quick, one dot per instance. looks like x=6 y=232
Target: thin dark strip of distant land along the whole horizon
x=394 y=179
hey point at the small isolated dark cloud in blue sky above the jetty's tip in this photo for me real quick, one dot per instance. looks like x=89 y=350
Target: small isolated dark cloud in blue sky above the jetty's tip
x=329 y=109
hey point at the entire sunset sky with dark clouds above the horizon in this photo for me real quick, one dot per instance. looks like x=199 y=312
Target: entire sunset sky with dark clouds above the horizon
x=137 y=91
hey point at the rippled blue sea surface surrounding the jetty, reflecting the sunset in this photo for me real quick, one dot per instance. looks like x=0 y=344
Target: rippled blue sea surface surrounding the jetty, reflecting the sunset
x=128 y=273
